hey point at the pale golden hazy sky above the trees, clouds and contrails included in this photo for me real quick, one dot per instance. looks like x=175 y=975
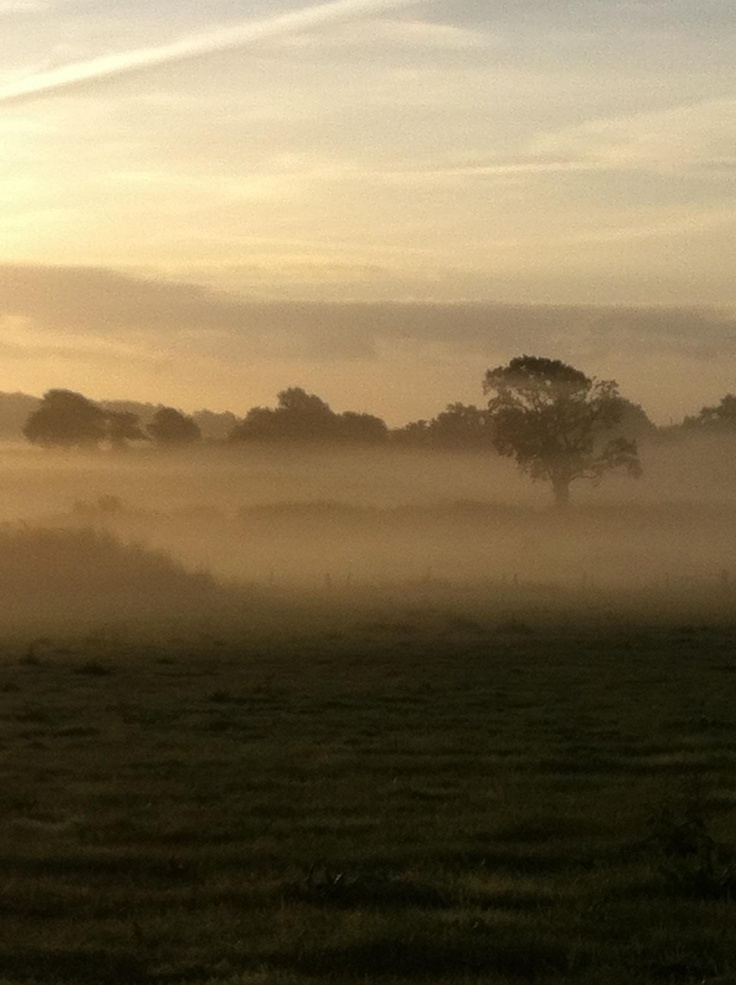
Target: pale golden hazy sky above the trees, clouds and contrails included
x=203 y=202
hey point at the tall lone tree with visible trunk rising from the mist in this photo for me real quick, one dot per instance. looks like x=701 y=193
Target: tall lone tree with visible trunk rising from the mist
x=553 y=420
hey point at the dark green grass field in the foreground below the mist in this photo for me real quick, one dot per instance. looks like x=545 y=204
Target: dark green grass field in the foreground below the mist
x=380 y=792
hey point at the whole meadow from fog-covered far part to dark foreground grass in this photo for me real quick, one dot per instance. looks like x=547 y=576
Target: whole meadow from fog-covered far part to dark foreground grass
x=389 y=737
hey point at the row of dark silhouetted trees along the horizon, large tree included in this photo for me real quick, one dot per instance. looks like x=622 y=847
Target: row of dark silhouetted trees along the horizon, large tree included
x=558 y=424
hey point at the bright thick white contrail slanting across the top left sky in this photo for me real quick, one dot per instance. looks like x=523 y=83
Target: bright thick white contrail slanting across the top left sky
x=236 y=36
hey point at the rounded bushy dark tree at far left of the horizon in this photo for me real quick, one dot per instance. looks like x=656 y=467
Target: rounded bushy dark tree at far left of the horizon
x=66 y=419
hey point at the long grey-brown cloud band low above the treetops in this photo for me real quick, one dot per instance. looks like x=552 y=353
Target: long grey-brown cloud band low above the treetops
x=96 y=305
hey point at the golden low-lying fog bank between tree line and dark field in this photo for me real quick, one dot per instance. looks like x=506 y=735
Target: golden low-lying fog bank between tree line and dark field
x=329 y=517
